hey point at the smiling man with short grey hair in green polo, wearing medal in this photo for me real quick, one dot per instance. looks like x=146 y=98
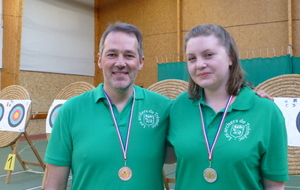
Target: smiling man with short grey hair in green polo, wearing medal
x=112 y=137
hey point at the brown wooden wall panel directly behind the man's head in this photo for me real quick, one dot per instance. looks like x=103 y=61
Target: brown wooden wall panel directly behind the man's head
x=157 y=22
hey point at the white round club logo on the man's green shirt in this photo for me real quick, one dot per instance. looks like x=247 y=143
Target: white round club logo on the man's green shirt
x=148 y=118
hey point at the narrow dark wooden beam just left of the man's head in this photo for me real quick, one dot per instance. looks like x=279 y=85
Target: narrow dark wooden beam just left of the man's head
x=98 y=78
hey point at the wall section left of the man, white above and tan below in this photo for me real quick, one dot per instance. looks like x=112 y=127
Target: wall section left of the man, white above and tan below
x=57 y=44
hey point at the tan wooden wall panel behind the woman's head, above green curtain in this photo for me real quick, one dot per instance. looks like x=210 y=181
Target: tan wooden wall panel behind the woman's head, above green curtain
x=260 y=28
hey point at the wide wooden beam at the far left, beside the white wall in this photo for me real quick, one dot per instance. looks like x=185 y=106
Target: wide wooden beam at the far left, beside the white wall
x=12 y=33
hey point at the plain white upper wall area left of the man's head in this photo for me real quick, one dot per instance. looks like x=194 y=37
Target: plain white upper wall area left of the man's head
x=58 y=37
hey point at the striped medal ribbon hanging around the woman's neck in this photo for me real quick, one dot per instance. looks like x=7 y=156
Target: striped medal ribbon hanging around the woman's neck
x=211 y=149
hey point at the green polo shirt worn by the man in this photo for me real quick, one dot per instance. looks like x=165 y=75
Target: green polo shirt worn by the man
x=84 y=138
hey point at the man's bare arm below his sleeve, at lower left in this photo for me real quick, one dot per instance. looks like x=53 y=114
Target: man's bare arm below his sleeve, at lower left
x=56 y=177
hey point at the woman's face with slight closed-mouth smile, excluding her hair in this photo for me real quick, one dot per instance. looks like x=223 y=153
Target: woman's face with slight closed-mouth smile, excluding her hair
x=208 y=62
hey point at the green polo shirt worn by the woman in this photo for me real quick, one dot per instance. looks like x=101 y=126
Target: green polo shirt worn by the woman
x=252 y=144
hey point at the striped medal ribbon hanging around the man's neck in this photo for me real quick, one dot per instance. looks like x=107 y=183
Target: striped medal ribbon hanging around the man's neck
x=124 y=147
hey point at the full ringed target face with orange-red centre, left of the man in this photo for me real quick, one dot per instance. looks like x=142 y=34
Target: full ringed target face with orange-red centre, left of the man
x=16 y=115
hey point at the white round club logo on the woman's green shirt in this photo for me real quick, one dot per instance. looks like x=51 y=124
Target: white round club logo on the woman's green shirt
x=237 y=130
